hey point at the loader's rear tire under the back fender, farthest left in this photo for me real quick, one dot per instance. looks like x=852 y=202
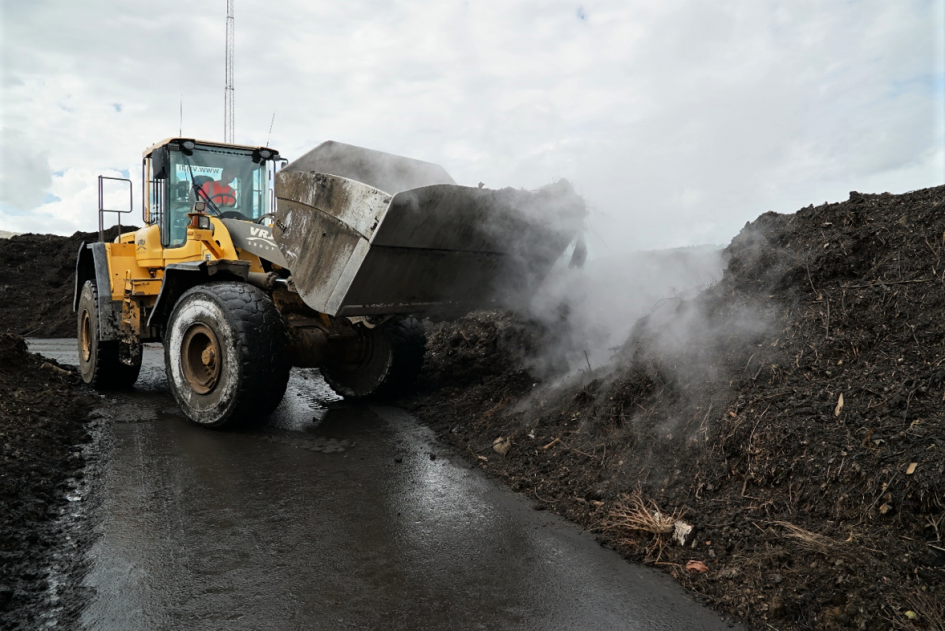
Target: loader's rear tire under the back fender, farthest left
x=99 y=361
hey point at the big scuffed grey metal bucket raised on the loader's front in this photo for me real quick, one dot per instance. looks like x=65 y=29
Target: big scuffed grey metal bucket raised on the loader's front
x=434 y=248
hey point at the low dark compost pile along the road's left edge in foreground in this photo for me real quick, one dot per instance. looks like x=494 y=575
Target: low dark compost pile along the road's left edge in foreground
x=42 y=428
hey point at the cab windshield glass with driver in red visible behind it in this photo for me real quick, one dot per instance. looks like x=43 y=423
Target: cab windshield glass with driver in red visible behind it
x=227 y=178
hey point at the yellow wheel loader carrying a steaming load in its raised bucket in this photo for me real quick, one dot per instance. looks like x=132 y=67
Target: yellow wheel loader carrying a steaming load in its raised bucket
x=249 y=265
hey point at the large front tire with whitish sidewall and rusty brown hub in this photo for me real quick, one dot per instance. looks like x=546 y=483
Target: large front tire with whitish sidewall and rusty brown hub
x=224 y=355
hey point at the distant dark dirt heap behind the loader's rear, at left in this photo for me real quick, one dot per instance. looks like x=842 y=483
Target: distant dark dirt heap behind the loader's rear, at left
x=37 y=281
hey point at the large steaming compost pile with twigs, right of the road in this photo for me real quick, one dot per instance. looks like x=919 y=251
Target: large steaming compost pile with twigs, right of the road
x=793 y=414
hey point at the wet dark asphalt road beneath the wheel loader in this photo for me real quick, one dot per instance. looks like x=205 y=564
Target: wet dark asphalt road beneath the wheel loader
x=335 y=516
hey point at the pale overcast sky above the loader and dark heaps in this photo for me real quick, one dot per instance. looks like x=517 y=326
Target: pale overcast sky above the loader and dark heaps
x=677 y=120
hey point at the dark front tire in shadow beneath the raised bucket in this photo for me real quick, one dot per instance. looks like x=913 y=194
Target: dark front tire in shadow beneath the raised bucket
x=384 y=362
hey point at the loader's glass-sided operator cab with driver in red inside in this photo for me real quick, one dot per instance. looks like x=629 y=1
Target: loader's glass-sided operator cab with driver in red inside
x=233 y=181
